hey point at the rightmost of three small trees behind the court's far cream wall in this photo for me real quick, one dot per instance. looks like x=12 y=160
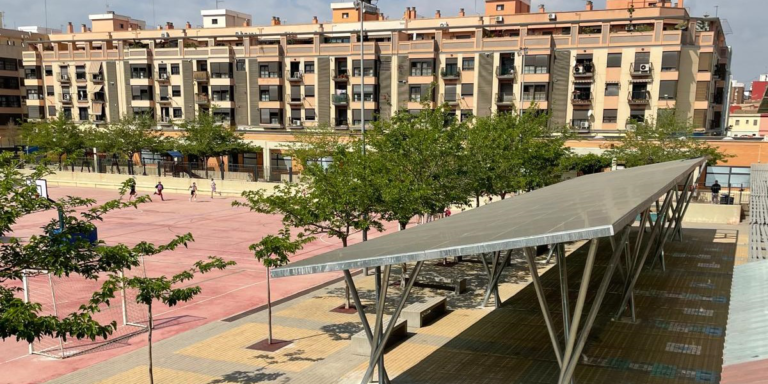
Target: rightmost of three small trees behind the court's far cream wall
x=207 y=137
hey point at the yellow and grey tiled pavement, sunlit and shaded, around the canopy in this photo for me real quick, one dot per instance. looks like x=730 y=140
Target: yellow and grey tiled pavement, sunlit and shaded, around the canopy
x=678 y=339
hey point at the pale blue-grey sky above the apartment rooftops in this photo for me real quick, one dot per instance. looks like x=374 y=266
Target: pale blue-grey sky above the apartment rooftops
x=746 y=17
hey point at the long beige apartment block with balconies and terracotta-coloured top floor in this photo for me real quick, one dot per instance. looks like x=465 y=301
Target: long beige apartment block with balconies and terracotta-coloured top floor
x=594 y=69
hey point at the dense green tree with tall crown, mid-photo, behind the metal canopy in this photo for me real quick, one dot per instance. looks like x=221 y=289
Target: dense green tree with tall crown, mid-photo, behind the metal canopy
x=417 y=163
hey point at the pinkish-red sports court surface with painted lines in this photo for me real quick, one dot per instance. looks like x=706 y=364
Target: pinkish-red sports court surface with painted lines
x=218 y=229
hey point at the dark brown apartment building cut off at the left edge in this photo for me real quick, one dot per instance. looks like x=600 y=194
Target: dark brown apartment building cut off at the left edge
x=12 y=91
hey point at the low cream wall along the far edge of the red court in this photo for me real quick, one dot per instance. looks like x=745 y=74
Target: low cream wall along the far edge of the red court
x=146 y=184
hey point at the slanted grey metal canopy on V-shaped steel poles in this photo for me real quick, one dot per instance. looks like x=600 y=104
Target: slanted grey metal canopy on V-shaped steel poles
x=604 y=205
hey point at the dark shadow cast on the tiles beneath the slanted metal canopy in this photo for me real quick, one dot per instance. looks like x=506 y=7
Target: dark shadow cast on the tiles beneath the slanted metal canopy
x=677 y=338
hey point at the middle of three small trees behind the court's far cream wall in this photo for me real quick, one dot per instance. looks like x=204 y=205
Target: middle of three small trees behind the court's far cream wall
x=130 y=136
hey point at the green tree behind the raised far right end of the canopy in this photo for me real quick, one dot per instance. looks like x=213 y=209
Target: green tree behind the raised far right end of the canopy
x=667 y=138
